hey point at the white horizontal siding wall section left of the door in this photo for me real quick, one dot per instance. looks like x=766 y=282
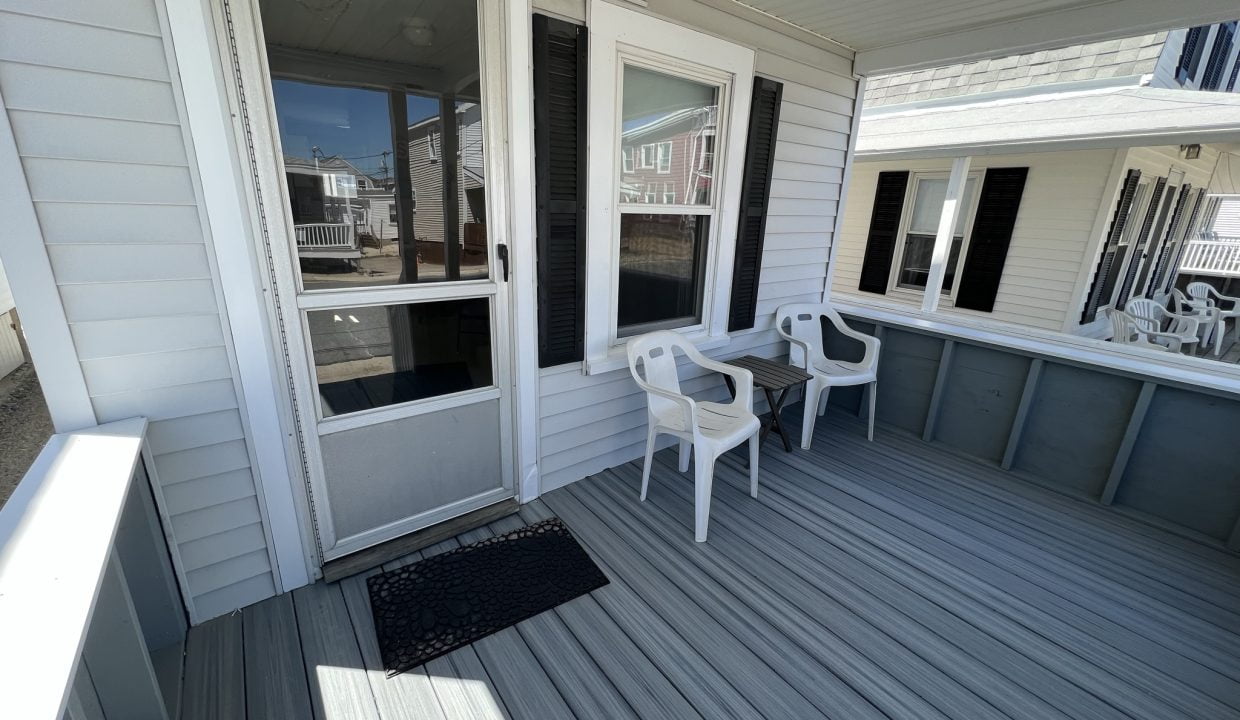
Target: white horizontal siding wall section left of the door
x=99 y=125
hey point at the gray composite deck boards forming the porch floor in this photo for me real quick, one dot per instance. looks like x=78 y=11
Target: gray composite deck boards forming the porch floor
x=869 y=581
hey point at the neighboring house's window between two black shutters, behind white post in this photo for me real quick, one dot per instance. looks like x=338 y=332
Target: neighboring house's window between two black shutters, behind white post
x=929 y=193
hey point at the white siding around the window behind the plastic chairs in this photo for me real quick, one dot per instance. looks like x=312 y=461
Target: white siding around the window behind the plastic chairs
x=590 y=423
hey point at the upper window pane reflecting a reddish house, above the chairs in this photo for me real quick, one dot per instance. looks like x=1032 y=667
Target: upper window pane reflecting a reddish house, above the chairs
x=669 y=126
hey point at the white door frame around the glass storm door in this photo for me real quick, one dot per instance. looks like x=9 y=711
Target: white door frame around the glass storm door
x=508 y=92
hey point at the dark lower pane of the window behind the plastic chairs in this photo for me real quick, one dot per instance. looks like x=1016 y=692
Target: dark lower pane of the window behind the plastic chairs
x=662 y=266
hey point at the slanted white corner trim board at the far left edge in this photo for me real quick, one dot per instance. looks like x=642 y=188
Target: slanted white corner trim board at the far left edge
x=34 y=288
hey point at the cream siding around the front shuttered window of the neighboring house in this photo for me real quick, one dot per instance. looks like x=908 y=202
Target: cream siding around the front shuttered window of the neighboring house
x=1050 y=242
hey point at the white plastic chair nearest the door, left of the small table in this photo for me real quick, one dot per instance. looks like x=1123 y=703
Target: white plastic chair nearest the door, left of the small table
x=711 y=428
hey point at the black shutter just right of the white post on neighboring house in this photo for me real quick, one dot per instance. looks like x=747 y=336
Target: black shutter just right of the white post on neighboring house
x=993 y=234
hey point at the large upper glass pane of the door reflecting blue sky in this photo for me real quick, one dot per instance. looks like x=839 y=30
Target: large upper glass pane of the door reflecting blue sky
x=386 y=188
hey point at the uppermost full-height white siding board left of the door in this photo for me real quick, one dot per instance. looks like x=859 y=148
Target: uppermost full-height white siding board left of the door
x=69 y=45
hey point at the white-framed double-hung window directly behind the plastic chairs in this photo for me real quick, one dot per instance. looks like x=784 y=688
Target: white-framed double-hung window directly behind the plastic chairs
x=664 y=261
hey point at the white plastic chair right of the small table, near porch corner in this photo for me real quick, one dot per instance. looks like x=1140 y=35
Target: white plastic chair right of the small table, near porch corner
x=802 y=325
